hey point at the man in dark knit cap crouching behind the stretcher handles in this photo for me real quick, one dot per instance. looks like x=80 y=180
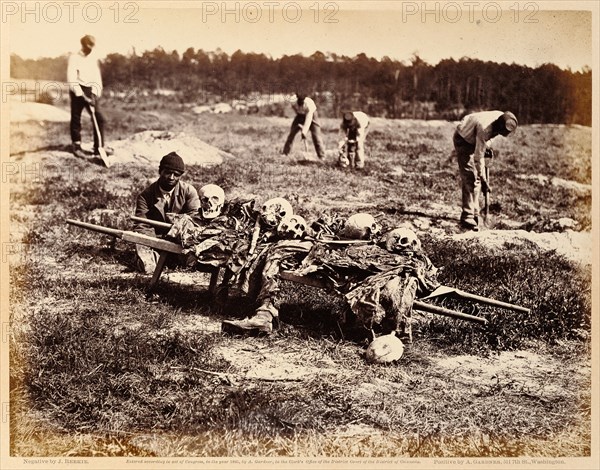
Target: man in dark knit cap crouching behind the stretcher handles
x=166 y=195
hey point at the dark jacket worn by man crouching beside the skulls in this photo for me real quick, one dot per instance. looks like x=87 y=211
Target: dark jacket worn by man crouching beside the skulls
x=150 y=205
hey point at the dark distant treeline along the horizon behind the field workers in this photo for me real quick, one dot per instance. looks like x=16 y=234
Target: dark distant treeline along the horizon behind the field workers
x=388 y=88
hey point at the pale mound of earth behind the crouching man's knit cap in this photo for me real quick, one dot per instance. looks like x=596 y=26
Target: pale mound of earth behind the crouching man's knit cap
x=150 y=146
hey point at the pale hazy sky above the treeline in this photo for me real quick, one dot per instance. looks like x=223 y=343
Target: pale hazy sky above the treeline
x=435 y=30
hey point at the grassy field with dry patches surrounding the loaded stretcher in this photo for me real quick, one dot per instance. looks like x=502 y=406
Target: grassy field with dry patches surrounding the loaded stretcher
x=99 y=370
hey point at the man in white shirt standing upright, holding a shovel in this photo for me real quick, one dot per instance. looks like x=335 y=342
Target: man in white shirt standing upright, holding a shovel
x=85 y=87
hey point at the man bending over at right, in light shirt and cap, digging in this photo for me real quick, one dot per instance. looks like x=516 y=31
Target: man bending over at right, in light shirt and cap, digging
x=471 y=142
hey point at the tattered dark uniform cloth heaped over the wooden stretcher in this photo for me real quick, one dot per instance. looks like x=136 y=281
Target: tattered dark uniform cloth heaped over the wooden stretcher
x=379 y=286
